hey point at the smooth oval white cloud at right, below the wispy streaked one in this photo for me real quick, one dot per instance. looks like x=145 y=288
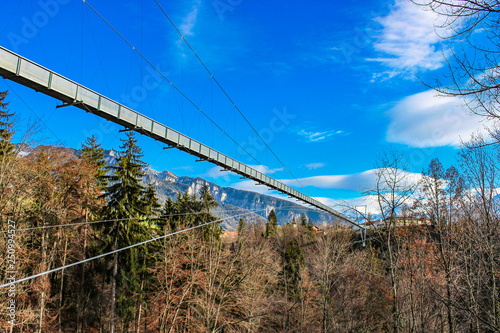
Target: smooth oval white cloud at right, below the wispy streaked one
x=425 y=120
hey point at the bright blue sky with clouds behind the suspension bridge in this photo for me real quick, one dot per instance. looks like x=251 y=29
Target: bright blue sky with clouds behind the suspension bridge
x=329 y=85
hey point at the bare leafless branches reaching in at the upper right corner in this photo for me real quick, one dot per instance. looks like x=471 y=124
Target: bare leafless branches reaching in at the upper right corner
x=471 y=34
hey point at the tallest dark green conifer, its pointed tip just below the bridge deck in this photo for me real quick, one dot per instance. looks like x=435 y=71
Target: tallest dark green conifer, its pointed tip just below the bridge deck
x=125 y=202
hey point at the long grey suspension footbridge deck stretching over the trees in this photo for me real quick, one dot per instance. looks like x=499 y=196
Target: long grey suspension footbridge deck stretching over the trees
x=30 y=74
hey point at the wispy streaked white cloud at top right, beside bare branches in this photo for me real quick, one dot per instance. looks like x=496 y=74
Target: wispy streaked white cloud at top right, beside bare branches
x=408 y=41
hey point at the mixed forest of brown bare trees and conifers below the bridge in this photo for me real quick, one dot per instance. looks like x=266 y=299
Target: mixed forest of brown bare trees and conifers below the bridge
x=429 y=264
